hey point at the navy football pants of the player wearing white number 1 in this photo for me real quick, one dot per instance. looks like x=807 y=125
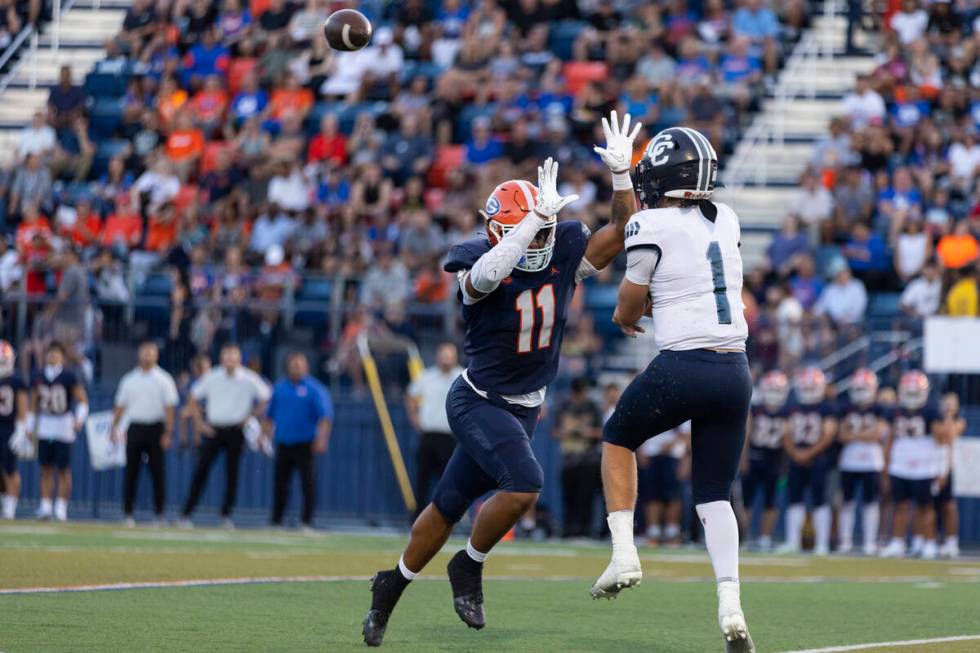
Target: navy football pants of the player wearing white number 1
x=713 y=390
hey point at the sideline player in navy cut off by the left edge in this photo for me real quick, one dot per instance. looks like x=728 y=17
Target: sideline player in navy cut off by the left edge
x=13 y=412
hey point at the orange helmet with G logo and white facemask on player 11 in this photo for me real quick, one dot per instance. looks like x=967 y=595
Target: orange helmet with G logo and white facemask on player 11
x=508 y=204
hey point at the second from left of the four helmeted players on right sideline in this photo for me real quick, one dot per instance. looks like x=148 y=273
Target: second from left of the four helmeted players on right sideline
x=812 y=427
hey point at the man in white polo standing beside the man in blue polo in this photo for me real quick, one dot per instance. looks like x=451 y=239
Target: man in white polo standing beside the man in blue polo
x=231 y=394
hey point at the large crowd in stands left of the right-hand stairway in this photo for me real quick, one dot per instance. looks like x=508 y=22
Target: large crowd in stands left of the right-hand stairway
x=225 y=142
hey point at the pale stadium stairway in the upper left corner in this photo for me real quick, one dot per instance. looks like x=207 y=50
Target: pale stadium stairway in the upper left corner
x=85 y=27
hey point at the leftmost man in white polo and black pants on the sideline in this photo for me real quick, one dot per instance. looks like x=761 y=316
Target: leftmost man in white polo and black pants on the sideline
x=147 y=396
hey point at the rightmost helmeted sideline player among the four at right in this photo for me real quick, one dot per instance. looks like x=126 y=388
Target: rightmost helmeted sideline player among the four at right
x=911 y=457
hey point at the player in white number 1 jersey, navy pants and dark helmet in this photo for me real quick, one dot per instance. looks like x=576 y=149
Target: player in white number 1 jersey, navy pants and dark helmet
x=683 y=263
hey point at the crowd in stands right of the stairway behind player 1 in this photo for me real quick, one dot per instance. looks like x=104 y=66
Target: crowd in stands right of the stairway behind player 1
x=890 y=201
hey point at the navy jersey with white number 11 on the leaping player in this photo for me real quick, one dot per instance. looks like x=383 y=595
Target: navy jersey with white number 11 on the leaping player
x=514 y=334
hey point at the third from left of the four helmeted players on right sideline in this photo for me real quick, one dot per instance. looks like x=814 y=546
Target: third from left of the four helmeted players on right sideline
x=862 y=433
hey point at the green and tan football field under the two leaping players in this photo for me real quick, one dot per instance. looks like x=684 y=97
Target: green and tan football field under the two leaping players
x=316 y=593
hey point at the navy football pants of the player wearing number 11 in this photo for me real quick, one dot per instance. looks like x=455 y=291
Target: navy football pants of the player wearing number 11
x=494 y=450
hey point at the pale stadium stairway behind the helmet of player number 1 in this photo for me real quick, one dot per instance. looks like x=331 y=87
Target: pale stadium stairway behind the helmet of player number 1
x=763 y=172
